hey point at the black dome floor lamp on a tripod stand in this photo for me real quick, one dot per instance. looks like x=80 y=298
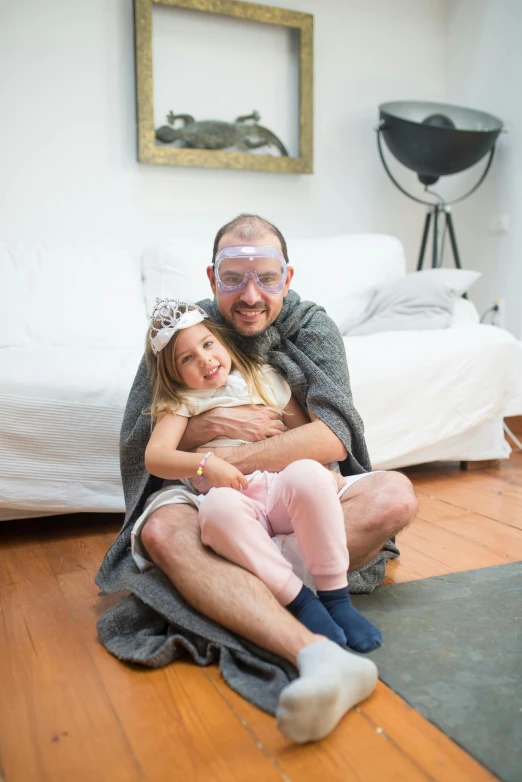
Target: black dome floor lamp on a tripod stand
x=434 y=140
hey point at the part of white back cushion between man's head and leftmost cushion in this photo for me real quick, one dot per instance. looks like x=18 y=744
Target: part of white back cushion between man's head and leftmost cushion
x=176 y=269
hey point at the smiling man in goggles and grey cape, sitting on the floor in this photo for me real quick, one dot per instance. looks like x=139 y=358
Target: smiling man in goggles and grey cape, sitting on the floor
x=304 y=344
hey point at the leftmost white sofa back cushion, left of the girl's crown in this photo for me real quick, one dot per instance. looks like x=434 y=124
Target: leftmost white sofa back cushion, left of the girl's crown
x=67 y=295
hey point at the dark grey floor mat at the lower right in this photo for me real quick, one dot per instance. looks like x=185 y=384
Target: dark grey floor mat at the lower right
x=452 y=648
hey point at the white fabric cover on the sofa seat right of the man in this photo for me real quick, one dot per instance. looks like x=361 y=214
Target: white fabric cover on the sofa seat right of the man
x=428 y=395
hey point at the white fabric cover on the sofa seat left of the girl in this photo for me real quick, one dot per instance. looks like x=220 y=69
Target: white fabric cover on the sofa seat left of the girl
x=61 y=412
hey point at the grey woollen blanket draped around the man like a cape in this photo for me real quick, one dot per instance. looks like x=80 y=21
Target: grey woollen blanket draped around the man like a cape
x=154 y=625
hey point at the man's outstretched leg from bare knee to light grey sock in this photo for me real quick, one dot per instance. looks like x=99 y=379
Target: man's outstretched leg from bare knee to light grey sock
x=331 y=680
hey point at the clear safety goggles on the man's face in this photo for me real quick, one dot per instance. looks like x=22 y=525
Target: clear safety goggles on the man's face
x=235 y=265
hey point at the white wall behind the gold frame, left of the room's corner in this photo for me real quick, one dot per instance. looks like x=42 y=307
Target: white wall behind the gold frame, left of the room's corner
x=68 y=151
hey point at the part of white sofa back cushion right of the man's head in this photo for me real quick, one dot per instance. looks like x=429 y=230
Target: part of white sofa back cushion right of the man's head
x=335 y=271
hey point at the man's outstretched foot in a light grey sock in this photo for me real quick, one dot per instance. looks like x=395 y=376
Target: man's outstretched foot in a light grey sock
x=331 y=682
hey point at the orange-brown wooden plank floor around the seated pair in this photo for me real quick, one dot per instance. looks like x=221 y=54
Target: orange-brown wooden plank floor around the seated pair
x=70 y=711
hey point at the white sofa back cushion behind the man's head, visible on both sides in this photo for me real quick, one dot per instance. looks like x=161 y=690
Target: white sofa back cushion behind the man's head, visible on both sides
x=335 y=272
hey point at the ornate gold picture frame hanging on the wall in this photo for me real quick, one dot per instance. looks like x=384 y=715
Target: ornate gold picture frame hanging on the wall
x=150 y=152
